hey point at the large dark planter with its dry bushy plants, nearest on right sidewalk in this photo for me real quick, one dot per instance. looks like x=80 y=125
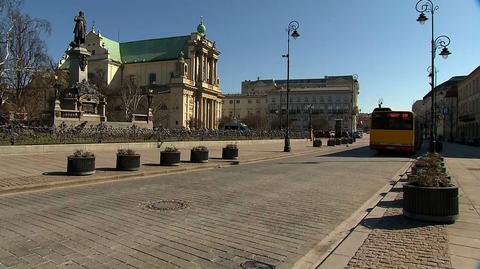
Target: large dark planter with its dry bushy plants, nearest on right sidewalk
x=430 y=194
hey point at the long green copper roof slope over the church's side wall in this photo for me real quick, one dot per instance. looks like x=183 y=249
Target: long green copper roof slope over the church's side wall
x=153 y=49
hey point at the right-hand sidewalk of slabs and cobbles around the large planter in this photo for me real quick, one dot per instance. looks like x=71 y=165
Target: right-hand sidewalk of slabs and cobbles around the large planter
x=385 y=239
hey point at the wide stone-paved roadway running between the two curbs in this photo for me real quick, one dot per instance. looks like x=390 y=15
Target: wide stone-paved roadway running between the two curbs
x=274 y=212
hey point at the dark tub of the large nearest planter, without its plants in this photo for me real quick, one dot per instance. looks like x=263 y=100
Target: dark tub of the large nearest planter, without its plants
x=437 y=204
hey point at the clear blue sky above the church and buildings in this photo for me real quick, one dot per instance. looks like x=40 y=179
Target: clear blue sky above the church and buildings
x=379 y=40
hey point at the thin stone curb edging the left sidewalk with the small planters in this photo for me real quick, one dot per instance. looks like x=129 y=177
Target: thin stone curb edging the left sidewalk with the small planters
x=146 y=174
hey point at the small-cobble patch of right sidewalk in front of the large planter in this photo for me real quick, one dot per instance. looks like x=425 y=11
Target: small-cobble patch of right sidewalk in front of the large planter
x=398 y=242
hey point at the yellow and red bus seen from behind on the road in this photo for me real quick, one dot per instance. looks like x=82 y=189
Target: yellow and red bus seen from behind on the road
x=394 y=131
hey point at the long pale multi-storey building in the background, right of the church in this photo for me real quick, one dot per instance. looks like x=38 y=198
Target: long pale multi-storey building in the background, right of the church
x=315 y=102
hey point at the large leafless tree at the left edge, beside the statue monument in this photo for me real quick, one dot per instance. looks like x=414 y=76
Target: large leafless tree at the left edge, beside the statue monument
x=26 y=50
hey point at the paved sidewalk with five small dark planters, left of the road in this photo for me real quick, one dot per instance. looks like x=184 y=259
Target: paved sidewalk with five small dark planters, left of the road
x=20 y=172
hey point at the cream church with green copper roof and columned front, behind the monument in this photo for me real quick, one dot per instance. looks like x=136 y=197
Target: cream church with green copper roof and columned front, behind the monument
x=183 y=70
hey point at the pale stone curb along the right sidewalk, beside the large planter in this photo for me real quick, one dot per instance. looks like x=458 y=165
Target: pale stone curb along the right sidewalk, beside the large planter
x=340 y=245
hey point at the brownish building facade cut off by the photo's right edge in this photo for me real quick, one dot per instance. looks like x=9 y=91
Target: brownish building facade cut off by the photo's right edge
x=469 y=108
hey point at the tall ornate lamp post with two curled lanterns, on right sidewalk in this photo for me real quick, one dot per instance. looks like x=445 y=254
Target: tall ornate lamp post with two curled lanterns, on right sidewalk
x=440 y=42
